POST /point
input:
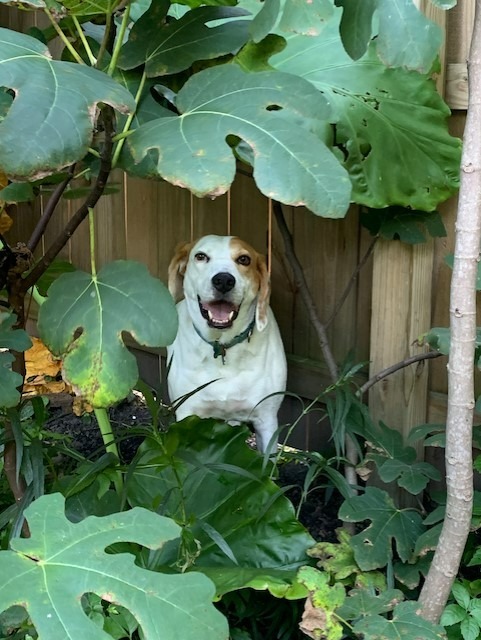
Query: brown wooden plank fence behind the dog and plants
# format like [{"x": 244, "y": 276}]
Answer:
[{"x": 400, "y": 293}]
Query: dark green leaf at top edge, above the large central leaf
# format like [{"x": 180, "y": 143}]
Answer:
[{"x": 168, "y": 48}]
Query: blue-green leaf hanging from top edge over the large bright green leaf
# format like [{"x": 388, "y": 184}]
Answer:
[{"x": 405, "y": 38}]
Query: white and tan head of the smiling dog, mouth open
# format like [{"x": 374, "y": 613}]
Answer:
[{"x": 221, "y": 278}]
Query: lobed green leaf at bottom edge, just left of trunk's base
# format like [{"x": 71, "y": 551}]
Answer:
[{"x": 405, "y": 623}]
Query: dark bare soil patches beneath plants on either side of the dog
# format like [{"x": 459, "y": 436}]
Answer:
[{"x": 318, "y": 514}]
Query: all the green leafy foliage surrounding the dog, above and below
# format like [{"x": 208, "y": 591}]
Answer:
[{"x": 183, "y": 93}]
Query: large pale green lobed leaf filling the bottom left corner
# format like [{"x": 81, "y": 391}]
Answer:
[{"x": 49, "y": 573}]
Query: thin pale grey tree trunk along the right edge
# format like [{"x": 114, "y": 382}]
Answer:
[{"x": 459, "y": 469}]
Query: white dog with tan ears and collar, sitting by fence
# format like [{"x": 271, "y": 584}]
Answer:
[{"x": 228, "y": 338}]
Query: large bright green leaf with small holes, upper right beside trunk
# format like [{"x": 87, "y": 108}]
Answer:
[{"x": 392, "y": 157}]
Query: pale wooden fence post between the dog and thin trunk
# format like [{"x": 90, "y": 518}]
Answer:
[{"x": 401, "y": 311}]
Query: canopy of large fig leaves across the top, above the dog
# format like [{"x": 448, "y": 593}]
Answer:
[{"x": 353, "y": 107}]
